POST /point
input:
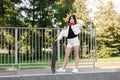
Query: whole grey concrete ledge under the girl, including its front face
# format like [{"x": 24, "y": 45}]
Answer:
[{"x": 101, "y": 73}]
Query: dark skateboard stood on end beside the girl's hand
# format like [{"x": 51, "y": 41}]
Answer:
[{"x": 54, "y": 54}]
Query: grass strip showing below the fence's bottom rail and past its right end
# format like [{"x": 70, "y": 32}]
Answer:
[{"x": 101, "y": 62}]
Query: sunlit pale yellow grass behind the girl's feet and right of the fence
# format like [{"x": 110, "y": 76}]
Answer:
[{"x": 101, "y": 62}]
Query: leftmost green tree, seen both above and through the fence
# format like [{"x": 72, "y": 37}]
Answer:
[{"x": 8, "y": 18}]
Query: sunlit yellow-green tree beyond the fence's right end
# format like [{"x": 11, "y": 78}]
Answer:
[{"x": 107, "y": 21}]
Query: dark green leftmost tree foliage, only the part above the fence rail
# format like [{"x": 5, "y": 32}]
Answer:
[{"x": 9, "y": 13}]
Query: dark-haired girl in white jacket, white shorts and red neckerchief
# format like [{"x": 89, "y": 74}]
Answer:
[{"x": 71, "y": 31}]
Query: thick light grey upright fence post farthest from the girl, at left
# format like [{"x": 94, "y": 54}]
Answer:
[{"x": 16, "y": 45}]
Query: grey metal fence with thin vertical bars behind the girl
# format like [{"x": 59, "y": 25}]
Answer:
[{"x": 24, "y": 46}]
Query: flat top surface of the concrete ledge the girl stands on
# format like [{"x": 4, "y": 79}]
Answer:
[{"x": 29, "y": 72}]
